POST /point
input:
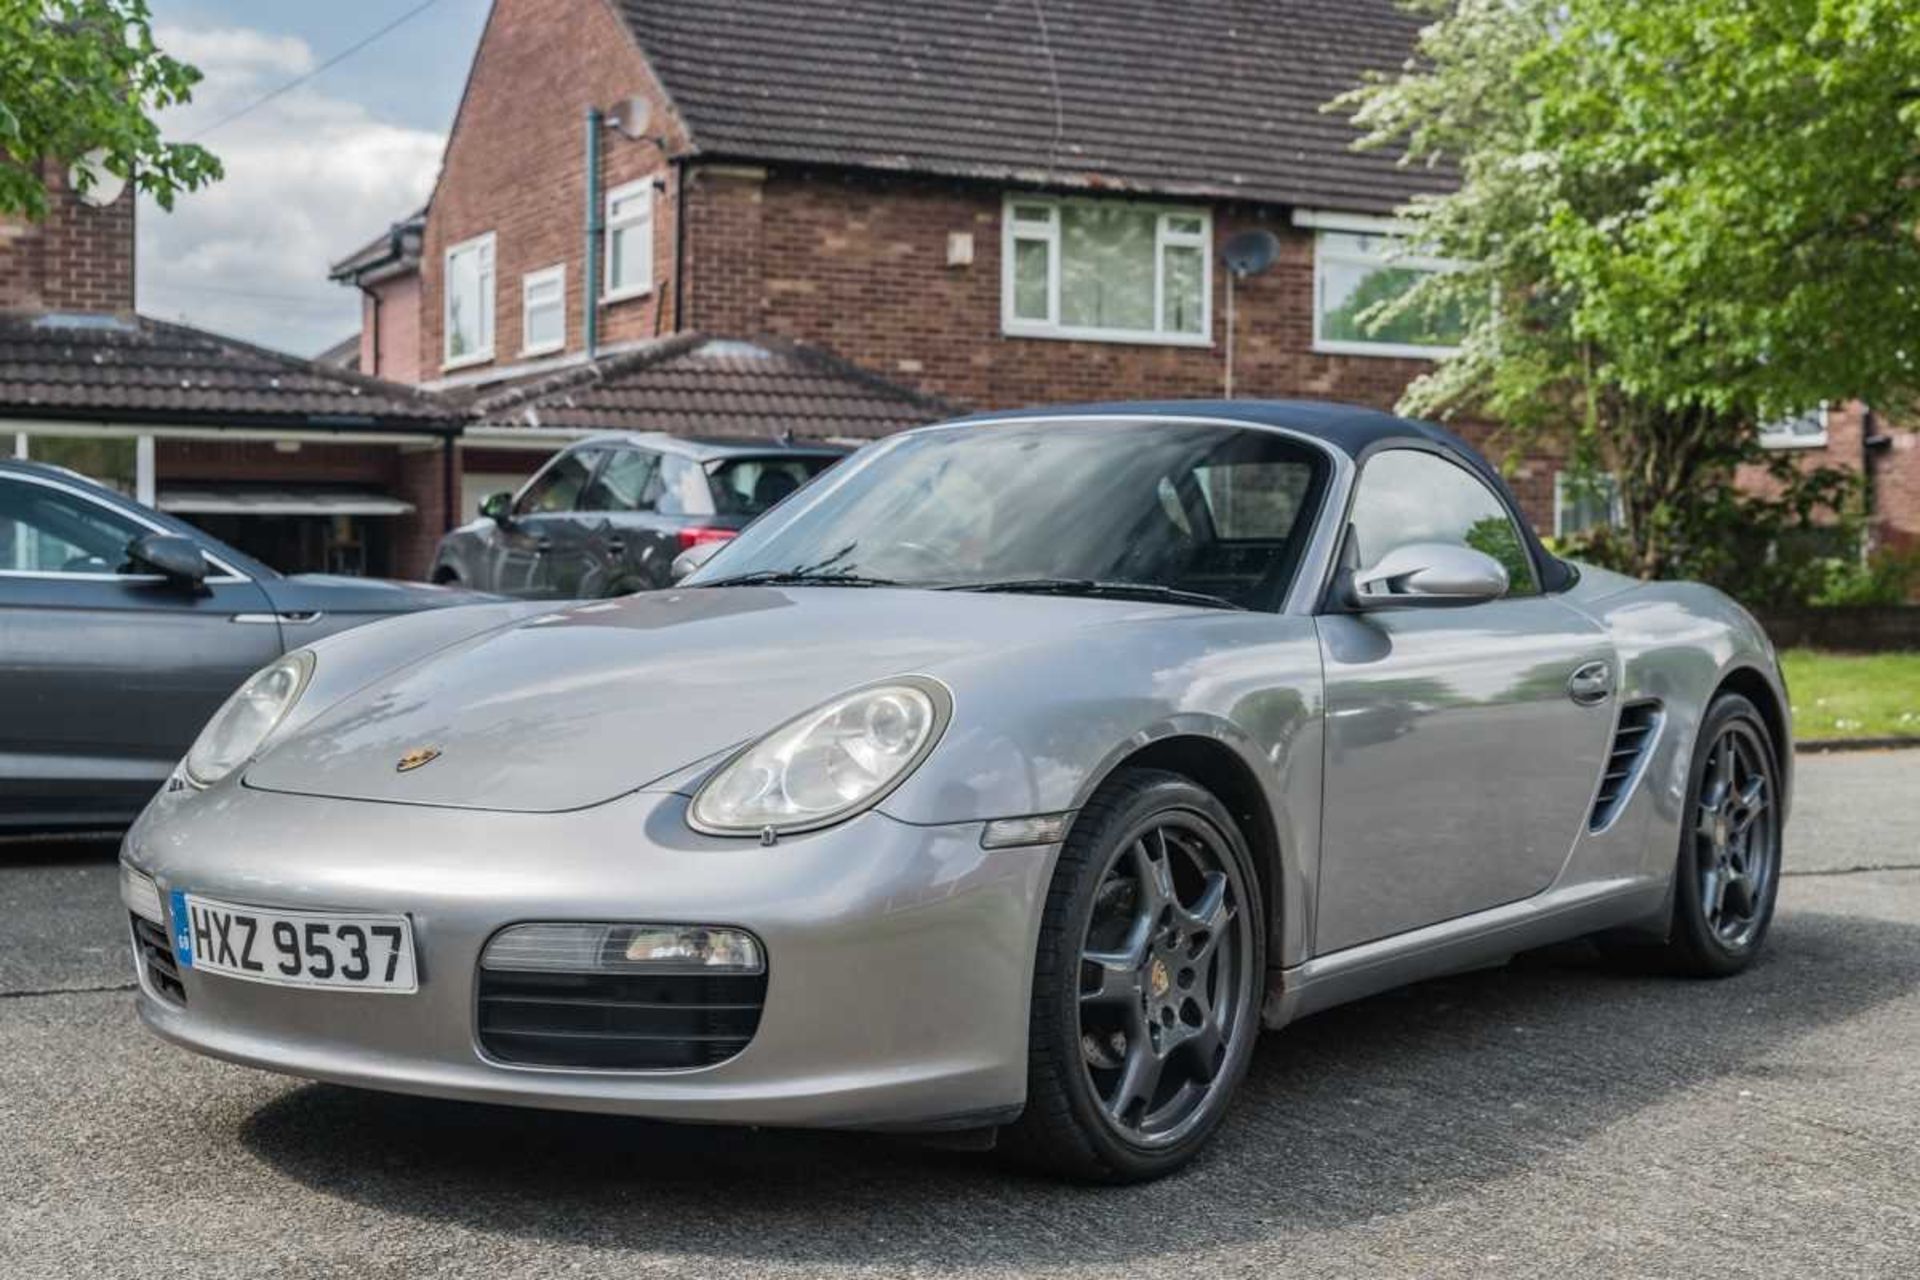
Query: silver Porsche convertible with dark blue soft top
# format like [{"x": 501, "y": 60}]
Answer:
[{"x": 1009, "y": 778}]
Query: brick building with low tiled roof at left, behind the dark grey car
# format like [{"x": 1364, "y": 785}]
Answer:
[{"x": 306, "y": 465}]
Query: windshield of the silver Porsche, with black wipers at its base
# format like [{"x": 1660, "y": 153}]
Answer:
[{"x": 1076, "y": 508}]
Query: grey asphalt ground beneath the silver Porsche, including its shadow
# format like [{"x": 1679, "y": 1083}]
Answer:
[{"x": 1543, "y": 1120}]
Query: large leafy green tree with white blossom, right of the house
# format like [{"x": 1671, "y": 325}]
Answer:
[{"x": 1694, "y": 216}]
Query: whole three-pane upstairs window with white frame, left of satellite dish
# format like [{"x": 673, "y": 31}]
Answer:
[{"x": 1109, "y": 272}]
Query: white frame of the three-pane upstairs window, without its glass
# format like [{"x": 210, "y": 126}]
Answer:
[{"x": 1049, "y": 233}]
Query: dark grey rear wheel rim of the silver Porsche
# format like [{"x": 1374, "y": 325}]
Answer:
[{"x": 1737, "y": 836}]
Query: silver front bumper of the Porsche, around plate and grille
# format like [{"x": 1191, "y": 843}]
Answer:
[{"x": 900, "y": 959}]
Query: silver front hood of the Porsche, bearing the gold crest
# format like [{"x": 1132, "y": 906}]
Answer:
[{"x": 594, "y": 701}]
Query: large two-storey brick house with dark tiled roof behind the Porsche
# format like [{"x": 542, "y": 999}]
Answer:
[{"x": 994, "y": 204}]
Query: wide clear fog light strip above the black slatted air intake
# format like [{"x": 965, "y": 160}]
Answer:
[{"x": 623, "y": 949}]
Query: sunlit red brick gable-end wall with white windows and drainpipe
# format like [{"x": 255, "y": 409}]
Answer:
[{"x": 517, "y": 162}]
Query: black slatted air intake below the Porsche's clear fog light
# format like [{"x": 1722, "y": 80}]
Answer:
[{"x": 619, "y": 1022}]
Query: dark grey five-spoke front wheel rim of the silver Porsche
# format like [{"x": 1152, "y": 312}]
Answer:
[{"x": 1164, "y": 980}]
